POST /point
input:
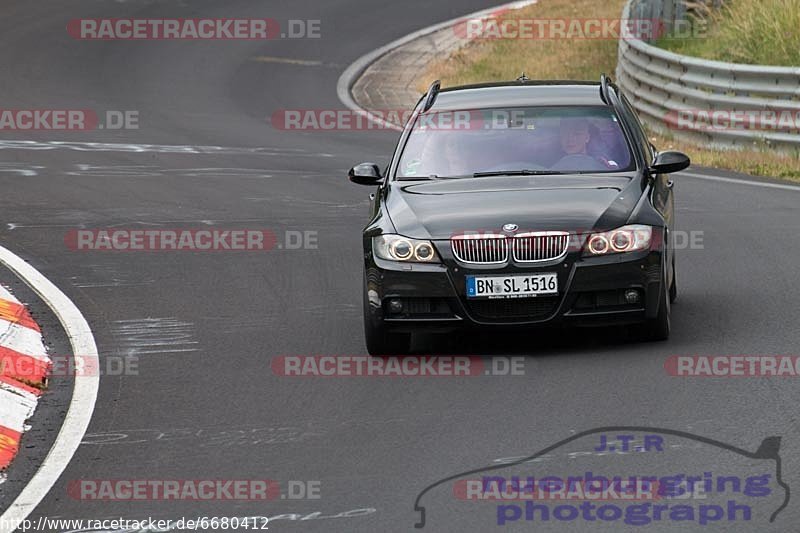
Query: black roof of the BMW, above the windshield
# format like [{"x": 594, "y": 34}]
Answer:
[{"x": 518, "y": 94}]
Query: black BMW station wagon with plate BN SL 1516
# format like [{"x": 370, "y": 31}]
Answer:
[{"x": 519, "y": 204}]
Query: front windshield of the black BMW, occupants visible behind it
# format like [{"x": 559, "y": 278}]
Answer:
[{"x": 533, "y": 140}]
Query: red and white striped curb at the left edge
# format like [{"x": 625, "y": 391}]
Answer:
[{"x": 24, "y": 366}]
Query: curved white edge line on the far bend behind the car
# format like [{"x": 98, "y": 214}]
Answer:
[{"x": 351, "y": 73}]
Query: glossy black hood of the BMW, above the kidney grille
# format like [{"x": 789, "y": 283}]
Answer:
[{"x": 438, "y": 209}]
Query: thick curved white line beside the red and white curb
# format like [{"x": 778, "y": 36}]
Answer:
[{"x": 84, "y": 394}]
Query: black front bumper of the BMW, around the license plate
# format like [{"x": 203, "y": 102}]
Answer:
[{"x": 591, "y": 292}]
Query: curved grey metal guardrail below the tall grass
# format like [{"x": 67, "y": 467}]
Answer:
[{"x": 727, "y": 105}]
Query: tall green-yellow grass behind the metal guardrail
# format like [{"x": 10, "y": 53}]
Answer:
[{"x": 757, "y": 32}]
